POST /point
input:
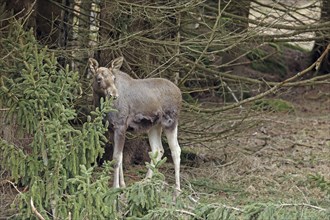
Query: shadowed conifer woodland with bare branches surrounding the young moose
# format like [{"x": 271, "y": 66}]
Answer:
[{"x": 254, "y": 127}]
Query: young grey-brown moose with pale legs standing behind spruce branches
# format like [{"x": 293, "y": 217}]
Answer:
[{"x": 142, "y": 105}]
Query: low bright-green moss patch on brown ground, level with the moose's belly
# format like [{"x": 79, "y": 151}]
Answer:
[{"x": 275, "y": 105}]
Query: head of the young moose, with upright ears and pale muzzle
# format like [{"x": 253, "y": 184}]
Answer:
[{"x": 104, "y": 78}]
